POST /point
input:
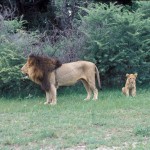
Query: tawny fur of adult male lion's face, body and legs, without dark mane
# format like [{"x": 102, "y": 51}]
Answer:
[{"x": 67, "y": 74}]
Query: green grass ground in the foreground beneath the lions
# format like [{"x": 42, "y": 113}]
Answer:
[{"x": 114, "y": 121}]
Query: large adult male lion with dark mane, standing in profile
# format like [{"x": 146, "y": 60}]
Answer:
[{"x": 51, "y": 74}]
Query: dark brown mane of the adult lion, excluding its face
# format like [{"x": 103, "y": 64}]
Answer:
[{"x": 46, "y": 65}]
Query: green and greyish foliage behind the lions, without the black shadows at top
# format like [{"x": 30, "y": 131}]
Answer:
[{"x": 113, "y": 37}]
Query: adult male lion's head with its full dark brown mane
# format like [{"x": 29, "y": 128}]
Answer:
[{"x": 38, "y": 67}]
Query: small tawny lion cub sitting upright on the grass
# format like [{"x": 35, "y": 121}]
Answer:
[{"x": 130, "y": 86}]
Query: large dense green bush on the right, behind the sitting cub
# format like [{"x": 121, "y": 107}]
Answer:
[{"x": 118, "y": 40}]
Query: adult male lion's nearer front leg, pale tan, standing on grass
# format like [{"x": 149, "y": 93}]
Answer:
[{"x": 53, "y": 91}]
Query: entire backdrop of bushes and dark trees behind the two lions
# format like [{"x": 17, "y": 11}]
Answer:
[{"x": 115, "y": 36}]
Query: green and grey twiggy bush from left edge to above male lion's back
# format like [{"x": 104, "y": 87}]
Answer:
[{"x": 16, "y": 44}]
